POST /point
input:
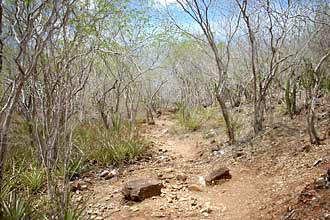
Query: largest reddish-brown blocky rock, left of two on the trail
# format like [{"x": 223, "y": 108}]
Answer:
[{"x": 138, "y": 190}]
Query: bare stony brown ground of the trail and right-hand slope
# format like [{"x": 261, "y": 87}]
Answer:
[{"x": 275, "y": 176}]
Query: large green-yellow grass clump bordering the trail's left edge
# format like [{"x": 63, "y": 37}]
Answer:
[{"x": 114, "y": 146}]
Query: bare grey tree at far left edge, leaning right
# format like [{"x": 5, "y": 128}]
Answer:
[{"x": 30, "y": 34}]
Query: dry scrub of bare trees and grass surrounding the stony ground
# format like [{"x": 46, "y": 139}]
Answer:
[{"x": 80, "y": 77}]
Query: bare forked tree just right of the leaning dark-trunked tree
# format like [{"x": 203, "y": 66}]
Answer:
[{"x": 277, "y": 27}]
